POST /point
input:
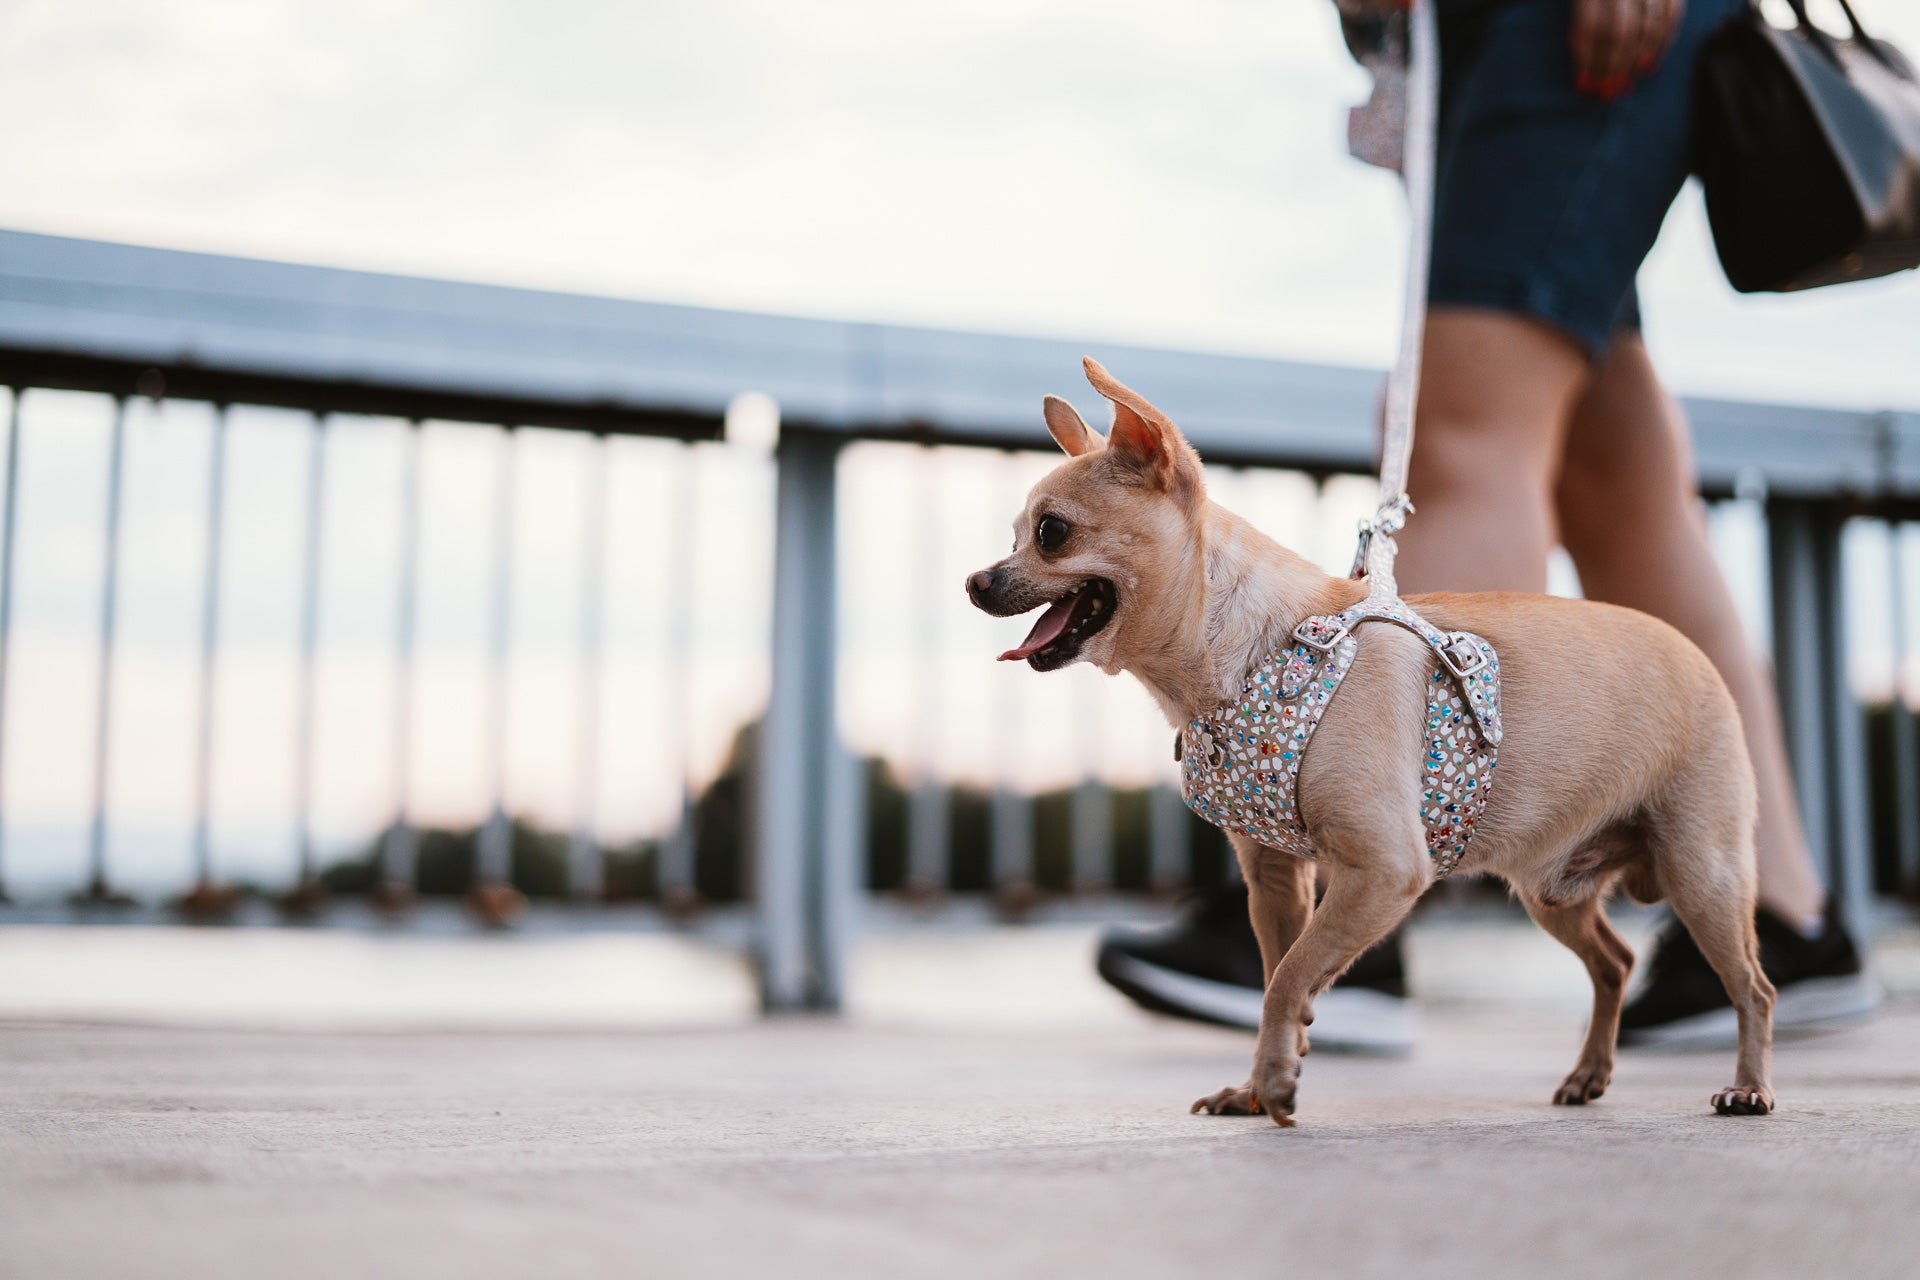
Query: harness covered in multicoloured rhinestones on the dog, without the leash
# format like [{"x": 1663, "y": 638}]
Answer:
[{"x": 1241, "y": 761}]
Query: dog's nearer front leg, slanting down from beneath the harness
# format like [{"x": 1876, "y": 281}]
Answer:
[{"x": 1364, "y": 903}]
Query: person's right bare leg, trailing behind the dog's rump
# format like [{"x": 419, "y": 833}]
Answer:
[{"x": 1633, "y": 523}]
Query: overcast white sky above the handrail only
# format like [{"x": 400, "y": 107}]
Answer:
[{"x": 1166, "y": 174}]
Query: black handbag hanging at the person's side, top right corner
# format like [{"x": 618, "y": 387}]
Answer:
[{"x": 1808, "y": 147}]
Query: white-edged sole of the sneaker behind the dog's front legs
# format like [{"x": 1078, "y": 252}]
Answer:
[{"x": 1347, "y": 1020}]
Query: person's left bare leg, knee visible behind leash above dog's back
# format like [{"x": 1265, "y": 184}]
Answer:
[{"x": 1497, "y": 392}]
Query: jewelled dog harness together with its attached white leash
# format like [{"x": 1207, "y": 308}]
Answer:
[{"x": 1241, "y": 761}]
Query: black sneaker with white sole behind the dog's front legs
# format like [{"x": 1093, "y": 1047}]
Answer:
[{"x": 1207, "y": 968}]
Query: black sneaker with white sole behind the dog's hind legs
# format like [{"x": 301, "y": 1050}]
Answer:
[{"x": 1683, "y": 1003}]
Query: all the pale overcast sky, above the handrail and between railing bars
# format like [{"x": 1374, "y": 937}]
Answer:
[{"x": 1157, "y": 174}]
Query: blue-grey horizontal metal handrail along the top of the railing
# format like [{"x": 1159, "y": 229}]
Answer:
[{"x": 130, "y": 320}]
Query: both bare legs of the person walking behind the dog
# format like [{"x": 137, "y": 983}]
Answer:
[{"x": 1502, "y": 400}]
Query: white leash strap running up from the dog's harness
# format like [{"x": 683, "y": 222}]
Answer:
[{"x": 1374, "y": 559}]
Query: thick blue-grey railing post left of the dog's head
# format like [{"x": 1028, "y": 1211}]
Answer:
[{"x": 805, "y": 888}]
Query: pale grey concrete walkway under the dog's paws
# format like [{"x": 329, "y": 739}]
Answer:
[{"x": 809, "y": 1149}]
